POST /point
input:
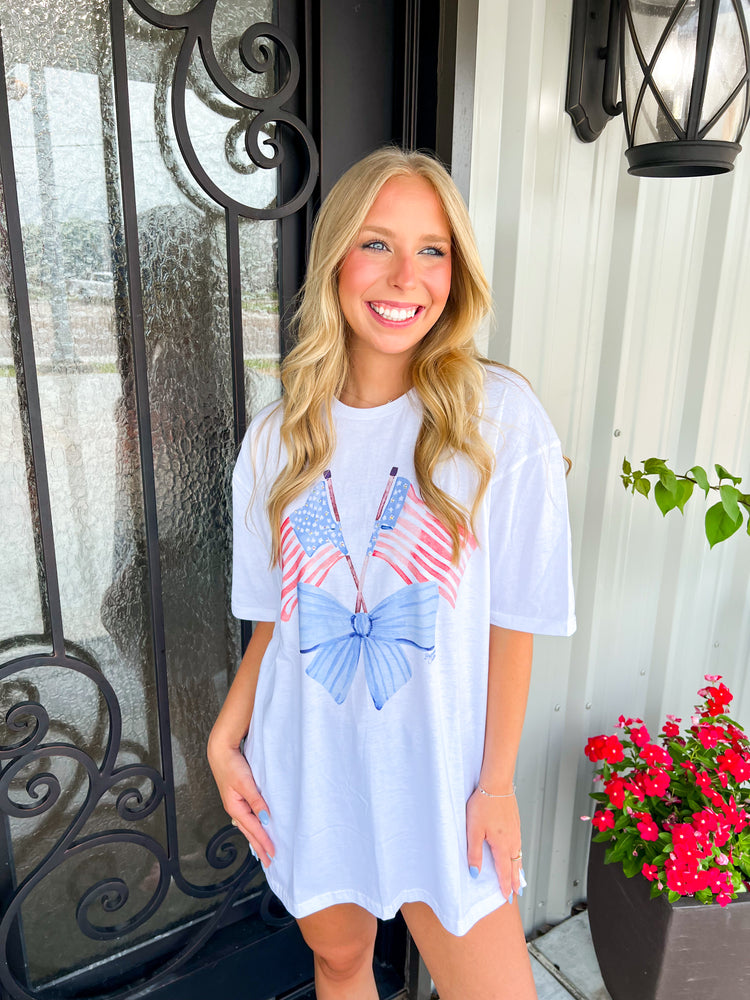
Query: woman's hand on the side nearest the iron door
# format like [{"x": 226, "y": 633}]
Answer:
[{"x": 241, "y": 798}]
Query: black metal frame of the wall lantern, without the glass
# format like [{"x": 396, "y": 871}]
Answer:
[{"x": 596, "y": 70}]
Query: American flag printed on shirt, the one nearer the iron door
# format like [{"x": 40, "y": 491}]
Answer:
[{"x": 311, "y": 544}]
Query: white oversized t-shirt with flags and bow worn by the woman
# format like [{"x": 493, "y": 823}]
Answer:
[{"x": 368, "y": 727}]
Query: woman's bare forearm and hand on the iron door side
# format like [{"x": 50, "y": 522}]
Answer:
[{"x": 239, "y": 793}]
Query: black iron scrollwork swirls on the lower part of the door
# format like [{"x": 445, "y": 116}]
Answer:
[{"x": 109, "y": 895}]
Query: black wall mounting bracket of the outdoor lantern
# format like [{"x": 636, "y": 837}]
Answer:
[{"x": 593, "y": 66}]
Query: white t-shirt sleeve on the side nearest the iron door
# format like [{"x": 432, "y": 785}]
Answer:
[{"x": 256, "y": 587}]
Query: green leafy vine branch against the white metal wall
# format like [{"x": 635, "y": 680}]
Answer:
[{"x": 672, "y": 491}]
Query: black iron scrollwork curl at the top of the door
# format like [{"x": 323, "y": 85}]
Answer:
[{"x": 257, "y": 57}]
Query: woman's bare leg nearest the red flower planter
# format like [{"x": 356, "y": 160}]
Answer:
[{"x": 490, "y": 962}]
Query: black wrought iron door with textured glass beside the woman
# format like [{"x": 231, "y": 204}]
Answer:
[{"x": 159, "y": 164}]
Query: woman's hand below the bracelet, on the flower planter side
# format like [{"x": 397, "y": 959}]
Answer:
[{"x": 496, "y": 820}]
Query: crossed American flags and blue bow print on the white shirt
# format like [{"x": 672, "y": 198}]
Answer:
[{"x": 413, "y": 542}]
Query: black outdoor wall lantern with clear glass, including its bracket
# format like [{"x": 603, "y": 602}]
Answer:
[{"x": 683, "y": 70}]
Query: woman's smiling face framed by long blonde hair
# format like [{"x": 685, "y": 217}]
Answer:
[{"x": 394, "y": 282}]
